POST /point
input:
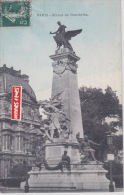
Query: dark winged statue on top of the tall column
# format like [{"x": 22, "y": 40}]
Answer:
[{"x": 62, "y": 37}]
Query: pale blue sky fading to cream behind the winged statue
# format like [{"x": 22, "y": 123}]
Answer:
[{"x": 98, "y": 46}]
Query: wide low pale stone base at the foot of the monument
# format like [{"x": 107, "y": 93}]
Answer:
[{"x": 81, "y": 178}]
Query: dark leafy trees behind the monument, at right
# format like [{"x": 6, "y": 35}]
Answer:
[{"x": 96, "y": 107}]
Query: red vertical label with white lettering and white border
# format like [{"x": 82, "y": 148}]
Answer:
[{"x": 16, "y": 102}]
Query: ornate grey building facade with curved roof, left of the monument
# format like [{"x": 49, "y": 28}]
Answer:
[{"x": 14, "y": 134}]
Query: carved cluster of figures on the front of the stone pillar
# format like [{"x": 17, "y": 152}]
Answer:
[{"x": 57, "y": 123}]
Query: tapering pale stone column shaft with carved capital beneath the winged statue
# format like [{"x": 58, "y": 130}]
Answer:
[{"x": 65, "y": 82}]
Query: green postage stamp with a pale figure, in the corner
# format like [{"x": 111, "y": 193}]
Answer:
[{"x": 15, "y": 13}]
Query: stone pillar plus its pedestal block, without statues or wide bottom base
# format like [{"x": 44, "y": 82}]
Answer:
[{"x": 65, "y": 85}]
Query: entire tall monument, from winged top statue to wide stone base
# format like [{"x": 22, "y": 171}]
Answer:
[{"x": 64, "y": 130}]
